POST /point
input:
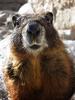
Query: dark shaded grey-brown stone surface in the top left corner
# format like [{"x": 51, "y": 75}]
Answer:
[{"x": 11, "y": 4}]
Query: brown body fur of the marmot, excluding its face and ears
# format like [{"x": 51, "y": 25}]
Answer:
[{"x": 47, "y": 76}]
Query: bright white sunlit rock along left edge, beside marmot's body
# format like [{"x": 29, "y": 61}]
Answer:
[{"x": 3, "y": 53}]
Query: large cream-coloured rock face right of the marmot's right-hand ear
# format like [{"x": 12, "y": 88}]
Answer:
[{"x": 66, "y": 17}]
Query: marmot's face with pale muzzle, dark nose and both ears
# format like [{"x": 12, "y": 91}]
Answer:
[{"x": 33, "y": 30}]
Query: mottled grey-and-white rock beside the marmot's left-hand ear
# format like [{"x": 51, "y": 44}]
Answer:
[{"x": 5, "y": 25}]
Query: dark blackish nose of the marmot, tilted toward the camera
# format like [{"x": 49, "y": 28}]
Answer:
[{"x": 33, "y": 29}]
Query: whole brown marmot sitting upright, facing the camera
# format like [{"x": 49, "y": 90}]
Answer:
[{"x": 38, "y": 66}]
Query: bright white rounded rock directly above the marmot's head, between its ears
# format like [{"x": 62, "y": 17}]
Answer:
[{"x": 30, "y": 8}]
